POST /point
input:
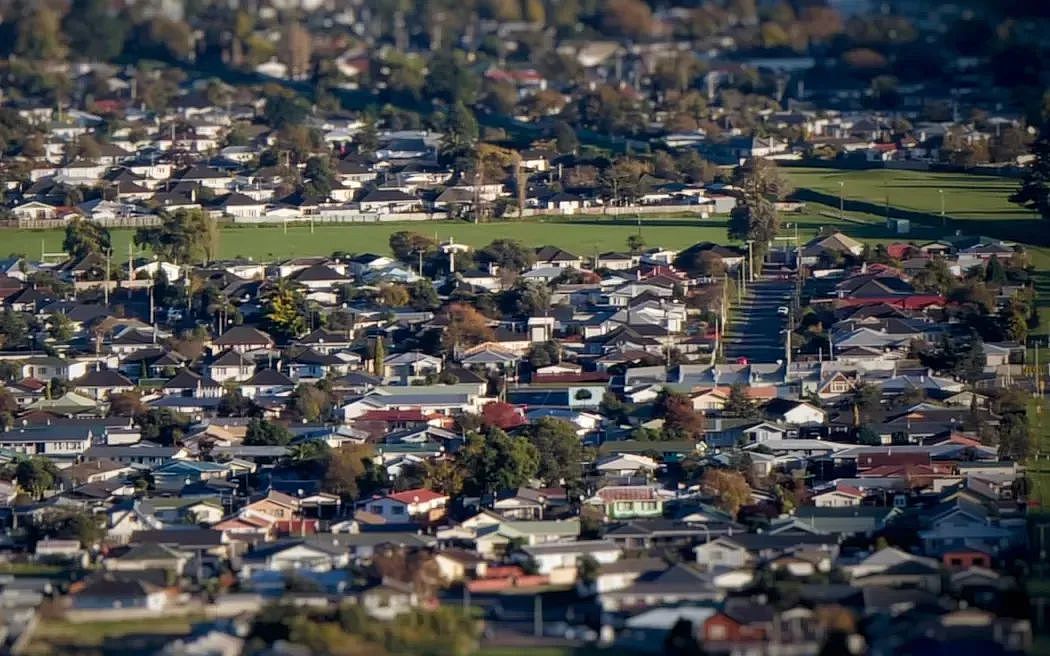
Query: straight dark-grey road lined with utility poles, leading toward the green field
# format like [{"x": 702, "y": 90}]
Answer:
[{"x": 755, "y": 332}]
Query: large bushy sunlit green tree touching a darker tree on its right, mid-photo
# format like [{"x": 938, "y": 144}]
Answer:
[{"x": 498, "y": 462}]
